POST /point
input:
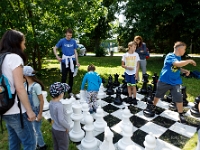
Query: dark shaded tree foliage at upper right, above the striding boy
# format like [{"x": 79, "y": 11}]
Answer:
[{"x": 161, "y": 23}]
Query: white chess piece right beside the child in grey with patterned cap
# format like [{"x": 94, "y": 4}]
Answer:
[{"x": 67, "y": 103}]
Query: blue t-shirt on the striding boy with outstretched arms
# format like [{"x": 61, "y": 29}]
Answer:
[{"x": 170, "y": 74}]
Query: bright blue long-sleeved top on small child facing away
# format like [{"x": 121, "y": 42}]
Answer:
[{"x": 93, "y": 80}]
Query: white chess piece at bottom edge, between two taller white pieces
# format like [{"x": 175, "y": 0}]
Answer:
[{"x": 107, "y": 144}]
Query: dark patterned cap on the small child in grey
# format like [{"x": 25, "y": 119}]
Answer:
[{"x": 58, "y": 88}]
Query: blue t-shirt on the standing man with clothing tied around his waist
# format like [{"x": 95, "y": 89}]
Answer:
[{"x": 67, "y": 46}]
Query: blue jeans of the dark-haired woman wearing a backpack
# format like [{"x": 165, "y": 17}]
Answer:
[{"x": 19, "y": 135}]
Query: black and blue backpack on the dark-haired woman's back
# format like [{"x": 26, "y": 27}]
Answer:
[{"x": 7, "y": 99}]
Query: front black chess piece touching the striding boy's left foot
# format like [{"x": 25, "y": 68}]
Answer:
[{"x": 150, "y": 109}]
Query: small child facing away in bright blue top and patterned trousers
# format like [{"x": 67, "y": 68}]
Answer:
[{"x": 93, "y": 81}]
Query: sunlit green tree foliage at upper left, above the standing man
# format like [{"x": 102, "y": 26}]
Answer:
[{"x": 44, "y": 22}]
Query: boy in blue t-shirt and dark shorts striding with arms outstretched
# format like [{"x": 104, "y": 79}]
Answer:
[{"x": 170, "y": 78}]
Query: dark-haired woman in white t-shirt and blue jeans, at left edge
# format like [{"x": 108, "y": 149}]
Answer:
[{"x": 14, "y": 42}]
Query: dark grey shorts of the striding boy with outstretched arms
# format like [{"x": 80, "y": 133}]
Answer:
[{"x": 175, "y": 90}]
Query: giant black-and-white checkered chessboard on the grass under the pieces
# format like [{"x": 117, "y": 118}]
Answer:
[{"x": 164, "y": 125}]
